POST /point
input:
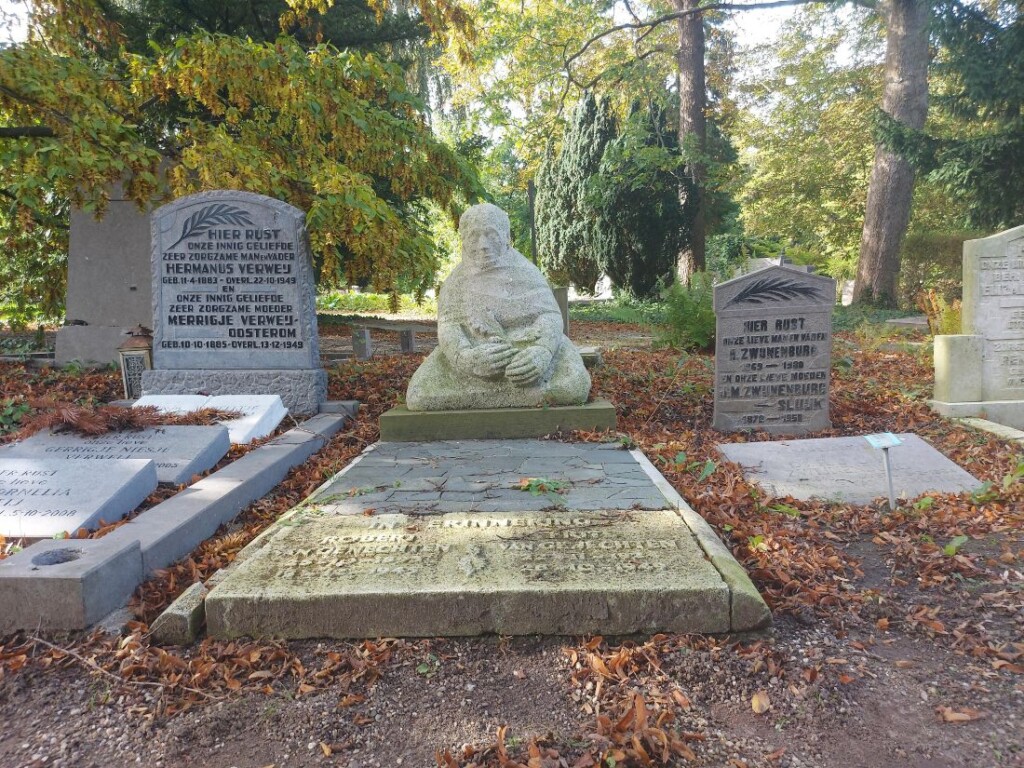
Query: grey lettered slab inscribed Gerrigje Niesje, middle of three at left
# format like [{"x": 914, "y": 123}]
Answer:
[{"x": 179, "y": 452}]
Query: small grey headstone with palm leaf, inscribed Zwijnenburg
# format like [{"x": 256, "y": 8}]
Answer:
[{"x": 774, "y": 352}]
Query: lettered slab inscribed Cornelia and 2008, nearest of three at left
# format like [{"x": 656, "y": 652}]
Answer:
[{"x": 42, "y": 498}]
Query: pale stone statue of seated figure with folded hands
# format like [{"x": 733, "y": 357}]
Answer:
[{"x": 500, "y": 340}]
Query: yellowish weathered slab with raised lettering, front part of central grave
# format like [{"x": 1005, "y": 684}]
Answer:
[{"x": 454, "y": 575}]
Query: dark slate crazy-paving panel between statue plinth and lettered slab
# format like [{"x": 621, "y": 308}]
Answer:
[{"x": 486, "y": 477}]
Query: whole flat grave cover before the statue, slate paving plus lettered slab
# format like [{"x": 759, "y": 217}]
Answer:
[{"x": 430, "y": 539}]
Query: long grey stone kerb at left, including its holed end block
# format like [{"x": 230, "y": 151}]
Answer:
[{"x": 72, "y": 584}]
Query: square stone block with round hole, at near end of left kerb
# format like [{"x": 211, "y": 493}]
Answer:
[{"x": 67, "y": 584}]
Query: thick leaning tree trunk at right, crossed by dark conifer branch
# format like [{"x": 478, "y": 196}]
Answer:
[{"x": 891, "y": 189}]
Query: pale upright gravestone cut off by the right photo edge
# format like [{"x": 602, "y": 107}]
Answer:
[{"x": 982, "y": 372}]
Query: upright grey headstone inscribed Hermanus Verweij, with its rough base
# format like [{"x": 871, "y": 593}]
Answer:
[{"x": 234, "y": 302}]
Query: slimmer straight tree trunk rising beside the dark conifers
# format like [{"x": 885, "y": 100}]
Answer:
[{"x": 693, "y": 130}]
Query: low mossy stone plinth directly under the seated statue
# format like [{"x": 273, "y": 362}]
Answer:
[{"x": 401, "y": 424}]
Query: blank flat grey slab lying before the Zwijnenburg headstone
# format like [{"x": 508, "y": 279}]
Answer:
[{"x": 847, "y": 470}]
